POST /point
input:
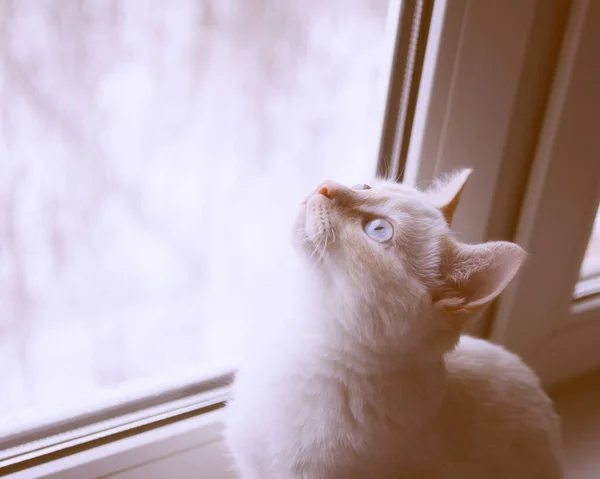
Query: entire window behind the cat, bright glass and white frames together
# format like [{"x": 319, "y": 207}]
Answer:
[{"x": 139, "y": 139}]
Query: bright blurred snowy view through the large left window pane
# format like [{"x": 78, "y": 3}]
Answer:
[{"x": 147, "y": 150}]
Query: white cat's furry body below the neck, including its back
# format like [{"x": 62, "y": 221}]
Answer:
[{"x": 484, "y": 418}]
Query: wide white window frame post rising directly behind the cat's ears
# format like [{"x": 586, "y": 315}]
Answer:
[{"x": 487, "y": 76}]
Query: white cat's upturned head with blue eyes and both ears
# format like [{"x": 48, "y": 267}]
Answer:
[{"x": 389, "y": 247}]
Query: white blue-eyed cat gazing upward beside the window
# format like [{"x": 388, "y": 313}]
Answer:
[{"x": 362, "y": 376}]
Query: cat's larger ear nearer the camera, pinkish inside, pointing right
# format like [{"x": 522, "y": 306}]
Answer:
[{"x": 472, "y": 276}]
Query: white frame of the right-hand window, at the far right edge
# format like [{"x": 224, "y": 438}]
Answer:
[{"x": 537, "y": 316}]
